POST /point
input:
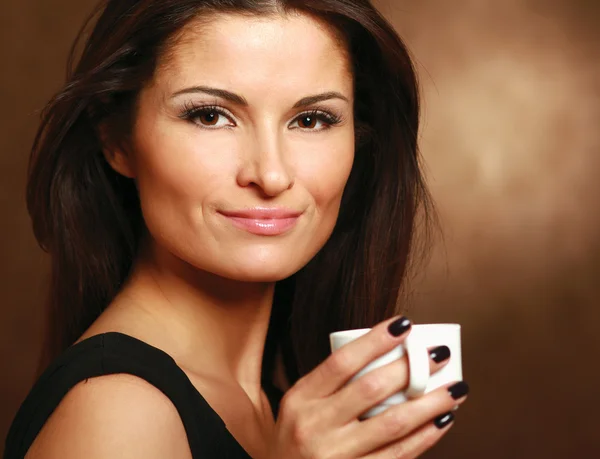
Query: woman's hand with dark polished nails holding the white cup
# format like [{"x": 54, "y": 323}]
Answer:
[{"x": 318, "y": 416}]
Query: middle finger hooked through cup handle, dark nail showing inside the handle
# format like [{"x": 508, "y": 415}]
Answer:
[{"x": 372, "y": 388}]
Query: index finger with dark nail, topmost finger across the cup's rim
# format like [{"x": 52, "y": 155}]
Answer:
[{"x": 352, "y": 357}]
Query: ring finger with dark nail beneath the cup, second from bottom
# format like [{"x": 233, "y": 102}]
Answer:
[{"x": 400, "y": 420}]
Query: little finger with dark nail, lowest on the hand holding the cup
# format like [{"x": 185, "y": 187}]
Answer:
[{"x": 418, "y": 442}]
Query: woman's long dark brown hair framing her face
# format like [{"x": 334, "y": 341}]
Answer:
[{"x": 88, "y": 217}]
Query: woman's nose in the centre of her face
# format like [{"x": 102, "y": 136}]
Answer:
[{"x": 265, "y": 165}]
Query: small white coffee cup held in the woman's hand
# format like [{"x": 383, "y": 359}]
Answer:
[{"x": 416, "y": 345}]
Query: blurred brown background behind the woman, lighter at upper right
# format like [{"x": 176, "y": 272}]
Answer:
[{"x": 511, "y": 140}]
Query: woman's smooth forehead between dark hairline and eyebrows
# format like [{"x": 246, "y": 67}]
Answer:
[{"x": 292, "y": 52}]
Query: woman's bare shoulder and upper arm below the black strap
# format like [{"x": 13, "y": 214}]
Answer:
[{"x": 112, "y": 416}]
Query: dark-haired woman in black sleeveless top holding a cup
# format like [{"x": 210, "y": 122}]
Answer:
[{"x": 220, "y": 185}]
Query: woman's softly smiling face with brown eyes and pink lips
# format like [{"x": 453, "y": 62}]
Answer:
[{"x": 243, "y": 144}]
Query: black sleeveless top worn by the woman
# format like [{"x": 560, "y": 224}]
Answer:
[{"x": 114, "y": 352}]
